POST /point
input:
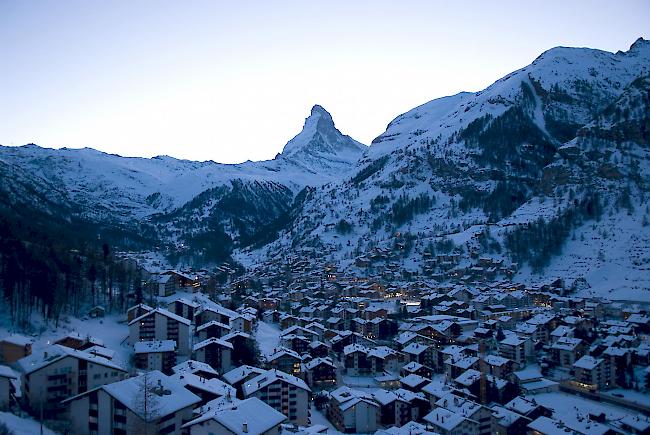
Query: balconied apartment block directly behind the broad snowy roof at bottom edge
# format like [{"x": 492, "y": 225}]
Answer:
[{"x": 285, "y": 393}]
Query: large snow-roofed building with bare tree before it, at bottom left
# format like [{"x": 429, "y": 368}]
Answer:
[{"x": 149, "y": 403}]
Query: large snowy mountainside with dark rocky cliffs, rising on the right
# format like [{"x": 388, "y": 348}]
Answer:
[{"x": 517, "y": 175}]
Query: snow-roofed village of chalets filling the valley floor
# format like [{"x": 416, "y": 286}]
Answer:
[{"x": 304, "y": 348}]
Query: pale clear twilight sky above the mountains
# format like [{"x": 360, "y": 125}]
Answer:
[{"x": 232, "y": 81}]
